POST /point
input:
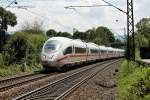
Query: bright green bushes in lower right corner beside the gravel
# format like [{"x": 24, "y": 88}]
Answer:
[{"x": 134, "y": 82}]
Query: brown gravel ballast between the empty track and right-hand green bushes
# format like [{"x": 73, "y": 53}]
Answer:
[{"x": 101, "y": 87}]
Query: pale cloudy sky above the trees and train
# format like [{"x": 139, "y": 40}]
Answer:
[{"x": 53, "y": 15}]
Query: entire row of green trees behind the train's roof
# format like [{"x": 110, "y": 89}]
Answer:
[{"x": 100, "y": 35}]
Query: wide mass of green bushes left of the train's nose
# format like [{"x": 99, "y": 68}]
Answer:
[{"x": 24, "y": 48}]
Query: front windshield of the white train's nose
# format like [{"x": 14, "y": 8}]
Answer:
[{"x": 51, "y": 46}]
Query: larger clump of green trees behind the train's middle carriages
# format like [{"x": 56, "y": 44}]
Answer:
[{"x": 100, "y": 35}]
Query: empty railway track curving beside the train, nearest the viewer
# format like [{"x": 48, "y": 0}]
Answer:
[{"x": 60, "y": 88}]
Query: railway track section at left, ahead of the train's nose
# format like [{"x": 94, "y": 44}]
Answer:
[{"x": 20, "y": 80}]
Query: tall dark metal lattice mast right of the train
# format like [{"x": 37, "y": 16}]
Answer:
[{"x": 130, "y": 31}]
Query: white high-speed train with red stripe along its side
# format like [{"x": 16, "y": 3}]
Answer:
[{"x": 61, "y": 51}]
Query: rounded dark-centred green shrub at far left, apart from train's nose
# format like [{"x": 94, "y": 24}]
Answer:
[{"x": 17, "y": 48}]
